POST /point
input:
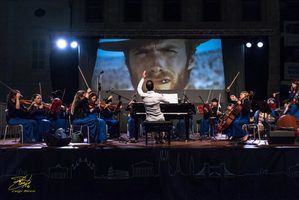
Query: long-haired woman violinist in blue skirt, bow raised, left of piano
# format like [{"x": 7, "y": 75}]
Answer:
[{"x": 81, "y": 115}]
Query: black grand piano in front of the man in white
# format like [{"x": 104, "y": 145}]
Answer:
[{"x": 170, "y": 111}]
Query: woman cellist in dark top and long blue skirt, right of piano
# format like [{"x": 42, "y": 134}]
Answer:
[{"x": 235, "y": 129}]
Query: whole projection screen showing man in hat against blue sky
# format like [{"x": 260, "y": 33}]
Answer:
[{"x": 172, "y": 64}]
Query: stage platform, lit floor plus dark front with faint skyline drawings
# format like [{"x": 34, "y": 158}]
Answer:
[{"x": 197, "y": 169}]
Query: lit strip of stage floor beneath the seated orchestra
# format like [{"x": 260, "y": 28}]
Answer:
[{"x": 124, "y": 143}]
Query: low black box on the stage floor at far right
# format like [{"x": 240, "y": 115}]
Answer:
[{"x": 281, "y": 137}]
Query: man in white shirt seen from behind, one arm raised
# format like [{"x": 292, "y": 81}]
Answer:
[{"x": 152, "y": 102}]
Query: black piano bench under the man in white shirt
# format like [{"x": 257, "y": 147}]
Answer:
[{"x": 158, "y": 126}]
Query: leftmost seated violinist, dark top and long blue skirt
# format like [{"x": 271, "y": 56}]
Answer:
[{"x": 17, "y": 114}]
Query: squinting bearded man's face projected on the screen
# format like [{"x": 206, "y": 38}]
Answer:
[{"x": 165, "y": 62}]
